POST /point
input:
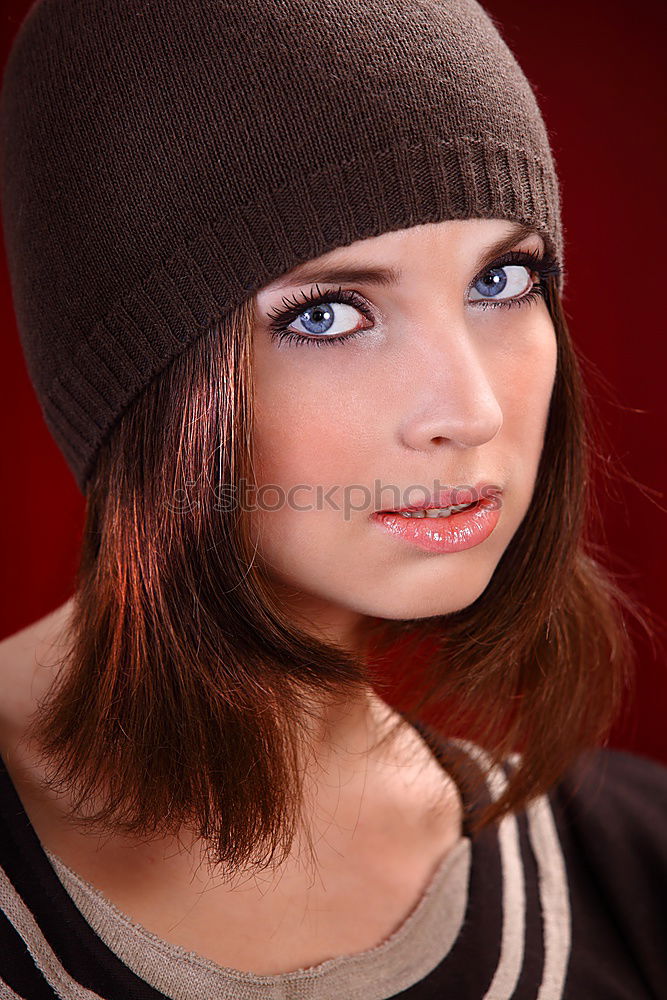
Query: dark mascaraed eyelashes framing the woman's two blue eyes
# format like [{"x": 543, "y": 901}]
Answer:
[{"x": 543, "y": 264}]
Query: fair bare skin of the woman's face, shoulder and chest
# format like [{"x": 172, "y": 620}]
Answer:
[{"x": 436, "y": 388}]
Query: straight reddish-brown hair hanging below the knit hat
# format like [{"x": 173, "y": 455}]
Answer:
[{"x": 182, "y": 666}]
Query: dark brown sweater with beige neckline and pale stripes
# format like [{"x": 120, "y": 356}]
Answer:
[{"x": 567, "y": 899}]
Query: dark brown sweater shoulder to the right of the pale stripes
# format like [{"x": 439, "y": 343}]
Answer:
[{"x": 610, "y": 813}]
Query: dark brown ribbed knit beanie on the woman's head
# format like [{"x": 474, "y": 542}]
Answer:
[{"x": 162, "y": 160}]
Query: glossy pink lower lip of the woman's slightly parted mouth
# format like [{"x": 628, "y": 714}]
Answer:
[{"x": 462, "y": 530}]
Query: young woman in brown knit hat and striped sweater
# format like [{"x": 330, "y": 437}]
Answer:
[{"x": 288, "y": 280}]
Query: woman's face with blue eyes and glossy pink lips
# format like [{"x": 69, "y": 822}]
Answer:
[{"x": 442, "y": 387}]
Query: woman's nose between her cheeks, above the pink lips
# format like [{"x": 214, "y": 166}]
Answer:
[{"x": 450, "y": 395}]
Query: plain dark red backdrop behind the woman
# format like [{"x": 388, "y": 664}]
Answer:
[{"x": 599, "y": 74}]
